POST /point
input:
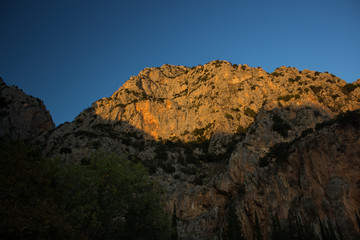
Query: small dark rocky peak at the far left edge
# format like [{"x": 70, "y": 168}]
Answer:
[{"x": 22, "y": 116}]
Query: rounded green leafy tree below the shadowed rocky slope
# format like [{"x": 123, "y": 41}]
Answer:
[{"x": 113, "y": 198}]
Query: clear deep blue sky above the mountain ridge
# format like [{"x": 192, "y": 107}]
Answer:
[{"x": 70, "y": 53}]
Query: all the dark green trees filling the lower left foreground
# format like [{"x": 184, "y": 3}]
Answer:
[{"x": 108, "y": 198}]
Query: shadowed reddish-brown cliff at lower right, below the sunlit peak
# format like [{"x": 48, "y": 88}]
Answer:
[{"x": 313, "y": 175}]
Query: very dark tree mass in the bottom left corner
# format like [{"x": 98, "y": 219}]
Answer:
[{"x": 29, "y": 203}]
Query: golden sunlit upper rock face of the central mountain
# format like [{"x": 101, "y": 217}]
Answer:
[{"x": 203, "y": 102}]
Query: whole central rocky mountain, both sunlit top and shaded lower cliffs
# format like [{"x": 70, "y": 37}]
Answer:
[{"x": 222, "y": 133}]
